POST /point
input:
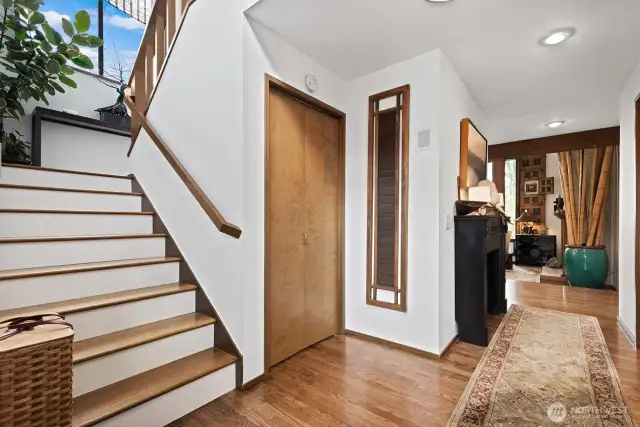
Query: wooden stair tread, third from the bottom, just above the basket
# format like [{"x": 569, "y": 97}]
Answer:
[{"x": 98, "y": 301}]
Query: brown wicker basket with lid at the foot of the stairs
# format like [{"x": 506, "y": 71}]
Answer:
[{"x": 35, "y": 377}]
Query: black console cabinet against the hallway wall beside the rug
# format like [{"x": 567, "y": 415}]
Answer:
[{"x": 480, "y": 282}]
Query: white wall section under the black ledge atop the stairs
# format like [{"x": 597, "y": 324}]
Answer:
[{"x": 70, "y": 147}]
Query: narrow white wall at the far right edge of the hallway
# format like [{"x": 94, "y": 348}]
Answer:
[{"x": 627, "y": 207}]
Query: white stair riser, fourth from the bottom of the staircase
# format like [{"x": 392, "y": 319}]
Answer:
[{"x": 17, "y": 293}]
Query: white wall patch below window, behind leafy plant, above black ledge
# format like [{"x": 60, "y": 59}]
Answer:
[{"x": 90, "y": 95}]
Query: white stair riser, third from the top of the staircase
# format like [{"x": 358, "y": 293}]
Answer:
[{"x": 18, "y": 224}]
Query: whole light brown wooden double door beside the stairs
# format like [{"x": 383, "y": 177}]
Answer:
[{"x": 304, "y": 214}]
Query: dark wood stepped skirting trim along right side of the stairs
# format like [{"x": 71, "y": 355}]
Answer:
[{"x": 222, "y": 337}]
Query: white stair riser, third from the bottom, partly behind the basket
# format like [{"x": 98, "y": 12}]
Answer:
[{"x": 101, "y": 321}]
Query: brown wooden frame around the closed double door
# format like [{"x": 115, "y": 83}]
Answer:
[{"x": 272, "y": 83}]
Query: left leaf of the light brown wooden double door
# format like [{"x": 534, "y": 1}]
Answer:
[{"x": 286, "y": 225}]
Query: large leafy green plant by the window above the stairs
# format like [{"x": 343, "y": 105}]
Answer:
[{"x": 35, "y": 63}]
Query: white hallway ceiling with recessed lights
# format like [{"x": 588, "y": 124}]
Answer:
[{"x": 493, "y": 44}]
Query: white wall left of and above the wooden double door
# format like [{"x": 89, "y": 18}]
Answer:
[{"x": 266, "y": 52}]
